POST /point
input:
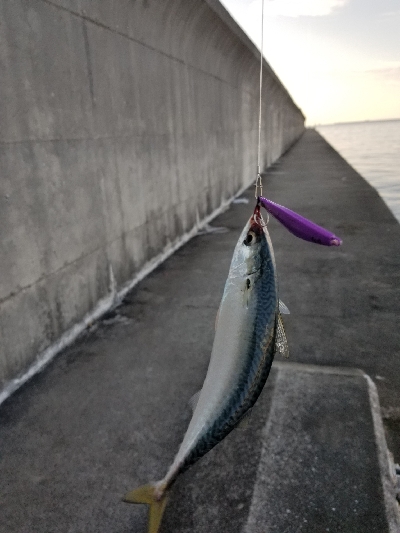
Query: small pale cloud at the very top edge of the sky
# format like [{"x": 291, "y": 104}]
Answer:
[{"x": 303, "y": 8}]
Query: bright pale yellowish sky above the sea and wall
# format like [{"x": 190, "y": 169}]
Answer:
[{"x": 339, "y": 59}]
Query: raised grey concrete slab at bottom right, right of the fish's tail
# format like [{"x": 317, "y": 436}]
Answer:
[{"x": 324, "y": 462}]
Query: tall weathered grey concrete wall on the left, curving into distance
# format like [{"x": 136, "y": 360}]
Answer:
[{"x": 123, "y": 123}]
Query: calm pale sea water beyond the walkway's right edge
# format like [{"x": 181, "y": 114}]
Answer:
[{"x": 373, "y": 149}]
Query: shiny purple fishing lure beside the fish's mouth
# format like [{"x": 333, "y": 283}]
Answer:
[{"x": 300, "y": 226}]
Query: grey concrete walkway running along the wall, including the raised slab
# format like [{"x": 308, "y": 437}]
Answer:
[{"x": 109, "y": 413}]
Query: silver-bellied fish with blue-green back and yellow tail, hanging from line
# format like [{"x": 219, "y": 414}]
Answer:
[{"x": 249, "y": 332}]
